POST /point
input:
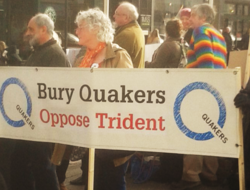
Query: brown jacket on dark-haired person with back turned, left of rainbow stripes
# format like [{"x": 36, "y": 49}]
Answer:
[{"x": 168, "y": 55}]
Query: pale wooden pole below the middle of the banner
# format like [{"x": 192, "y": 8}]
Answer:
[{"x": 91, "y": 169}]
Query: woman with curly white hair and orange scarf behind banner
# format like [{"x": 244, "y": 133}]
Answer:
[{"x": 95, "y": 32}]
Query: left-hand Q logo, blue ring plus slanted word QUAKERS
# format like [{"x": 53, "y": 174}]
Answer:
[{"x": 25, "y": 115}]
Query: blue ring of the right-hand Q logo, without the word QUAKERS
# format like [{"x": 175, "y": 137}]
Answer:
[{"x": 177, "y": 105}]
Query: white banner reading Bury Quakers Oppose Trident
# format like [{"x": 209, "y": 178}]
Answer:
[{"x": 188, "y": 111}]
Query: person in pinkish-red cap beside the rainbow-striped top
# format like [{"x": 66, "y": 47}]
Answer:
[{"x": 185, "y": 14}]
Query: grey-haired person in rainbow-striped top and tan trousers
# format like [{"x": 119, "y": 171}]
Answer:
[{"x": 207, "y": 50}]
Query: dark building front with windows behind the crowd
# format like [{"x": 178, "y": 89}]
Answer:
[{"x": 14, "y": 14}]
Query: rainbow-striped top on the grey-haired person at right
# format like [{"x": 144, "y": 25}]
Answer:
[{"x": 207, "y": 49}]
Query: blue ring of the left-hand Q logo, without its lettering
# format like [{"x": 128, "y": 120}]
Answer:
[{"x": 15, "y": 81}]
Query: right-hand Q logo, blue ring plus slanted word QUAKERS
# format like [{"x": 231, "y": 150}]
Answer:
[{"x": 215, "y": 127}]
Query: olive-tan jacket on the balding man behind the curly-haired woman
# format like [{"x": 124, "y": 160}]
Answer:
[{"x": 131, "y": 38}]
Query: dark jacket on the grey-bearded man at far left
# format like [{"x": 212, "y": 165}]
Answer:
[{"x": 49, "y": 54}]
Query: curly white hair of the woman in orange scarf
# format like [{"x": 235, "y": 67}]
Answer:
[{"x": 96, "y": 18}]
